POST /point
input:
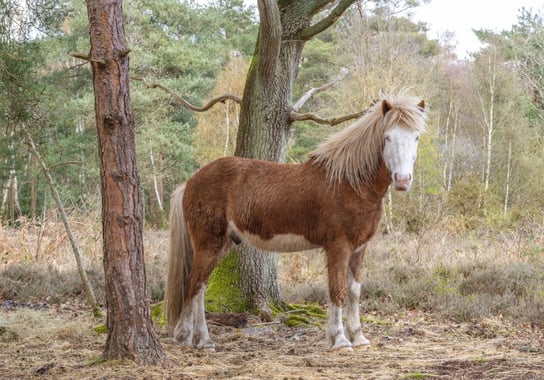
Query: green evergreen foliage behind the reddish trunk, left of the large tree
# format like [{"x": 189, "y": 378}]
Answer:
[{"x": 182, "y": 45}]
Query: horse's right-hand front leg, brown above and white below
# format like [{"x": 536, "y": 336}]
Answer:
[{"x": 353, "y": 321}]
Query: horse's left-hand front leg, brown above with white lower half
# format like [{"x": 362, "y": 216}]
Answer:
[{"x": 337, "y": 263}]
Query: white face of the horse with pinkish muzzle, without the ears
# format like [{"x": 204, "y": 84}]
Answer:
[{"x": 400, "y": 153}]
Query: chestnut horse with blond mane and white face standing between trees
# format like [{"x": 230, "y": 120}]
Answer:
[{"x": 332, "y": 201}]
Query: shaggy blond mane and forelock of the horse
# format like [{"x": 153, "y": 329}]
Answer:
[{"x": 354, "y": 153}]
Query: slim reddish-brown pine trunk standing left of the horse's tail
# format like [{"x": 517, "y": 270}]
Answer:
[{"x": 131, "y": 333}]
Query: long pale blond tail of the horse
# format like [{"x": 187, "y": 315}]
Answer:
[{"x": 180, "y": 261}]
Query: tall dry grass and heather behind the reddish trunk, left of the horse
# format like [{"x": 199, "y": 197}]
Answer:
[{"x": 38, "y": 265}]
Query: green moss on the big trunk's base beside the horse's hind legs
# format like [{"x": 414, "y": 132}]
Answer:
[{"x": 223, "y": 294}]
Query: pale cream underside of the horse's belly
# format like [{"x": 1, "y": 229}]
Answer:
[{"x": 278, "y": 243}]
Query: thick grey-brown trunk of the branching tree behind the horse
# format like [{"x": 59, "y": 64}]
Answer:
[{"x": 265, "y": 114}]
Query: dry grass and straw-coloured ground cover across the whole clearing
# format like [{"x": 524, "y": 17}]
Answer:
[{"x": 435, "y": 305}]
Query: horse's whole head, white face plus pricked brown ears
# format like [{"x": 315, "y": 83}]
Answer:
[{"x": 400, "y": 146}]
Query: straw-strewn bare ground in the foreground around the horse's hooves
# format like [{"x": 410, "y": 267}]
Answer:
[{"x": 59, "y": 343}]
